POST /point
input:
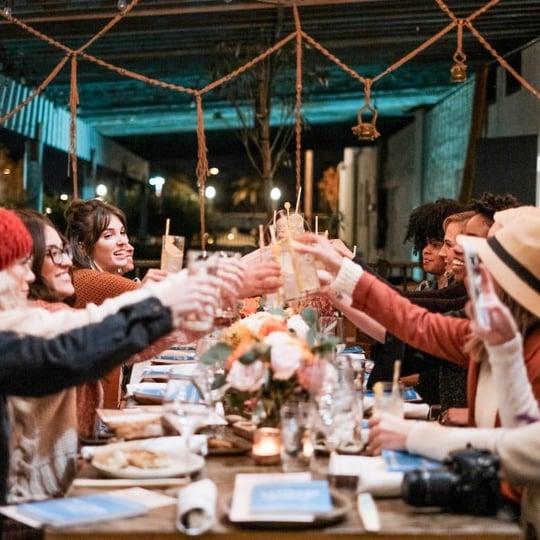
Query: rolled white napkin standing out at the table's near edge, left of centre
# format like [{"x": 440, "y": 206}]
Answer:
[{"x": 197, "y": 507}]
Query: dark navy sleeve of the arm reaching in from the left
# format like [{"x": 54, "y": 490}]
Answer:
[{"x": 32, "y": 366}]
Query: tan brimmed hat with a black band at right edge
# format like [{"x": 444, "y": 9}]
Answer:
[{"x": 512, "y": 256}]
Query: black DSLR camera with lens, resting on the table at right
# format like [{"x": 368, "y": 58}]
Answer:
[{"x": 467, "y": 483}]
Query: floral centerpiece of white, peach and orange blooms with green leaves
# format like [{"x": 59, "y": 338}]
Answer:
[{"x": 268, "y": 359}]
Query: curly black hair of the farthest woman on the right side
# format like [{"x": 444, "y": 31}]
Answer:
[{"x": 426, "y": 221}]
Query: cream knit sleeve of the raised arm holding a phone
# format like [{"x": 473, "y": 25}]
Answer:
[{"x": 512, "y": 386}]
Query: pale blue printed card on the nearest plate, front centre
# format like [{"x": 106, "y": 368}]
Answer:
[{"x": 292, "y": 497}]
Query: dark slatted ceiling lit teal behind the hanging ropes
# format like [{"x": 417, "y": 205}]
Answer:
[{"x": 177, "y": 42}]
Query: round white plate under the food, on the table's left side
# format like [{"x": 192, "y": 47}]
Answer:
[{"x": 170, "y": 447}]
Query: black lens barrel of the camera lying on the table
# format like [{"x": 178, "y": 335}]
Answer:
[{"x": 429, "y": 488}]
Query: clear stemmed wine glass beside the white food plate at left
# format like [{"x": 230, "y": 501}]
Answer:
[{"x": 185, "y": 408}]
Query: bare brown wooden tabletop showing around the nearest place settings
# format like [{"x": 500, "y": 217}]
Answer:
[{"x": 398, "y": 519}]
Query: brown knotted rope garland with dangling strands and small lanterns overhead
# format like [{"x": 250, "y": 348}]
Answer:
[{"x": 202, "y": 165}]
